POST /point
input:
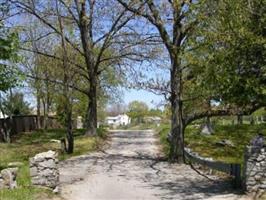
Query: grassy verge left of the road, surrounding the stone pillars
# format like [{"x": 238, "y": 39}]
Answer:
[{"x": 27, "y": 145}]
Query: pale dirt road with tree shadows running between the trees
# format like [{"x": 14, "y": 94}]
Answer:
[{"x": 129, "y": 169}]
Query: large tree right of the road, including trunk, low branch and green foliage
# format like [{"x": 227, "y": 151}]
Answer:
[{"x": 204, "y": 56}]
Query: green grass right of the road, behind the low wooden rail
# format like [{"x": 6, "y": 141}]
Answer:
[{"x": 205, "y": 145}]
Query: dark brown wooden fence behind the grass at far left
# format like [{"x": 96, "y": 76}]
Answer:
[{"x": 26, "y": 123}]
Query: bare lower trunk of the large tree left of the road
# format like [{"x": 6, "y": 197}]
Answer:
[{"x": 91, "y": 124}]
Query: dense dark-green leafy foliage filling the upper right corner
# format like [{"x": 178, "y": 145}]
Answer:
[{"x": 234, "y": 53}]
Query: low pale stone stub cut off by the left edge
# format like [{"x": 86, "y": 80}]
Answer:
[{"x": 8, "y": 178}]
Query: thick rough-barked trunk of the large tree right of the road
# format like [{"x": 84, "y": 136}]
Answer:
[{"x": 177, "y": 123}]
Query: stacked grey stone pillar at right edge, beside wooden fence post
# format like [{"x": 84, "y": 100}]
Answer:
[{"x": 255, "y": 169}]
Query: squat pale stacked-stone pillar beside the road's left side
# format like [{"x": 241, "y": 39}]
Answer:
[{"x": 44, "y": 170}]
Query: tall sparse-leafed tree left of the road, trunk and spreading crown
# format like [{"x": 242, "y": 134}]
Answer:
[{"x": 98, "y": 28}]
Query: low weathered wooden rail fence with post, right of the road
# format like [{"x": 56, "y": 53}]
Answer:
[{"x": 232, "y": 169}]
